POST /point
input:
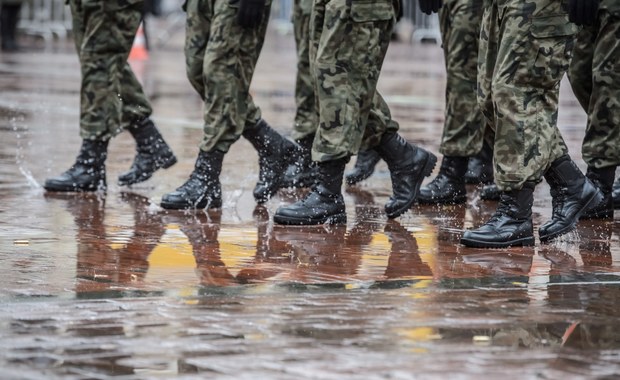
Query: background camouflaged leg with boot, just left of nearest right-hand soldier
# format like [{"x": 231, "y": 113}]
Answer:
[{"x": 464, "y": 126}]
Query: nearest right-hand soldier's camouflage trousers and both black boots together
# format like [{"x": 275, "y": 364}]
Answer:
[{"x": 528, "y": 143}]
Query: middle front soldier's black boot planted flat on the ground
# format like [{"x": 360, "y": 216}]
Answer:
[{"x": 324, "y": 204}]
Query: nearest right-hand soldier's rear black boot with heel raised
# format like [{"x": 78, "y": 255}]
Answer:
[{"x": 572, "y": 193}]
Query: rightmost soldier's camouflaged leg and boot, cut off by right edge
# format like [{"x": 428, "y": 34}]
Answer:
[{"x": 600, "y": 147}]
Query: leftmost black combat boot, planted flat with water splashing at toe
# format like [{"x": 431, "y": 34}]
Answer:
[{"x": 88, "y": 172}]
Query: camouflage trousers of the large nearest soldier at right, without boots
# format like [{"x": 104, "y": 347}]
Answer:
[{"x": 525, "y": 50}]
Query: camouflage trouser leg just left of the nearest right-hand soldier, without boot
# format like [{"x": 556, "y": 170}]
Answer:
[{"x": 464, "y": 125}]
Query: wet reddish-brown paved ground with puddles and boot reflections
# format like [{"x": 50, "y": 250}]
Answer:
[{"x": 98, "y": 286}]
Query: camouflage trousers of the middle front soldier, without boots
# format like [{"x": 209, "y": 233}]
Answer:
[{"x": 349, "y": 40}]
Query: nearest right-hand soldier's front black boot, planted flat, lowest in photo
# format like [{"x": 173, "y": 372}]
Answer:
[{"x": 510, "y": 226}]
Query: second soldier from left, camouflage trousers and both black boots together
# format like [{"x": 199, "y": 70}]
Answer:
[{"x": 220, "y": 60}]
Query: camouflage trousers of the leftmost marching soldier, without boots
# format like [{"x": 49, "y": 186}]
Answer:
[{"x": 111, "y": 98}]
